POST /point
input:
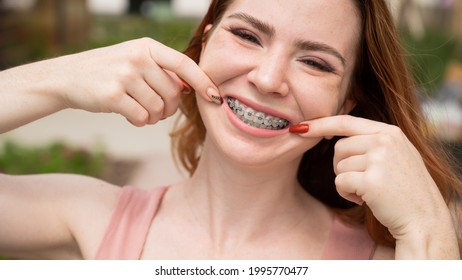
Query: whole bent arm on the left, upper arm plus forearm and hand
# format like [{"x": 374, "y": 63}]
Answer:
[{"x": 64, "y": 216}]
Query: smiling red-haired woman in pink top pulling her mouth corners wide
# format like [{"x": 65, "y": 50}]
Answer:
[{"x": 306, "y": 142}]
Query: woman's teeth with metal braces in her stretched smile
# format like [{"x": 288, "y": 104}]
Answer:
[{"x": 256, "y": 119}]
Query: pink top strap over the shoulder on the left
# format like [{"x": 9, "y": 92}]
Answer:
[{"x": 129, "y": 225}]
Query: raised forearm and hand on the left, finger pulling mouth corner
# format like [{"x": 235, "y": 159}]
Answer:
[{"x": 138, "y": 79}]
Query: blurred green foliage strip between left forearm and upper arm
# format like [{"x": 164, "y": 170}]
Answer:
[{"x": 53, "y": 158}]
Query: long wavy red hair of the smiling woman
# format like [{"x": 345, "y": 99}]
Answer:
[{"x": 383, "y": 89}]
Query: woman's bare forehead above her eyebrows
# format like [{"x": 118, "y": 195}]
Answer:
[{"x": 333, "y": 22}]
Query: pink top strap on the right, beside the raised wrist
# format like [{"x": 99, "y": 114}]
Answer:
[{"x": 348, "y": 242}]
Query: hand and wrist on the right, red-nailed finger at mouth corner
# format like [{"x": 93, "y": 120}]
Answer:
[{"x": 376, "y": 164}]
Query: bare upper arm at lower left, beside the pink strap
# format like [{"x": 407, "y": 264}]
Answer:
[{"x": 53, "y": 216}]
